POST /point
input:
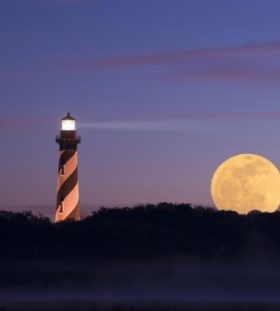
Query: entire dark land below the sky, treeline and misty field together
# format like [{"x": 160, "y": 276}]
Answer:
[{"x": 151, "y": 254}]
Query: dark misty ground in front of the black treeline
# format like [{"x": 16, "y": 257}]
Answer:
[{"x": 164, "y": 285}]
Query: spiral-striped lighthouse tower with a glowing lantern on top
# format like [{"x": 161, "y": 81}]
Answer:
[{"x": 67, "y": 204}]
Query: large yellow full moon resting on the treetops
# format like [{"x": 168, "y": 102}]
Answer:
[{"x": 246, "y": 182}]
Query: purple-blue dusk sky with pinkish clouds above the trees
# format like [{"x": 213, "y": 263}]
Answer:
[{"x": 163, "y": 92}]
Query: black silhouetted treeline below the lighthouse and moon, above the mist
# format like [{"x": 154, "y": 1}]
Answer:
[{"x": 143, "y": 232}]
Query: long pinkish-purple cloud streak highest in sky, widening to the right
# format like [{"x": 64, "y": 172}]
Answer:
[{"x": 247, "y": 63}]
